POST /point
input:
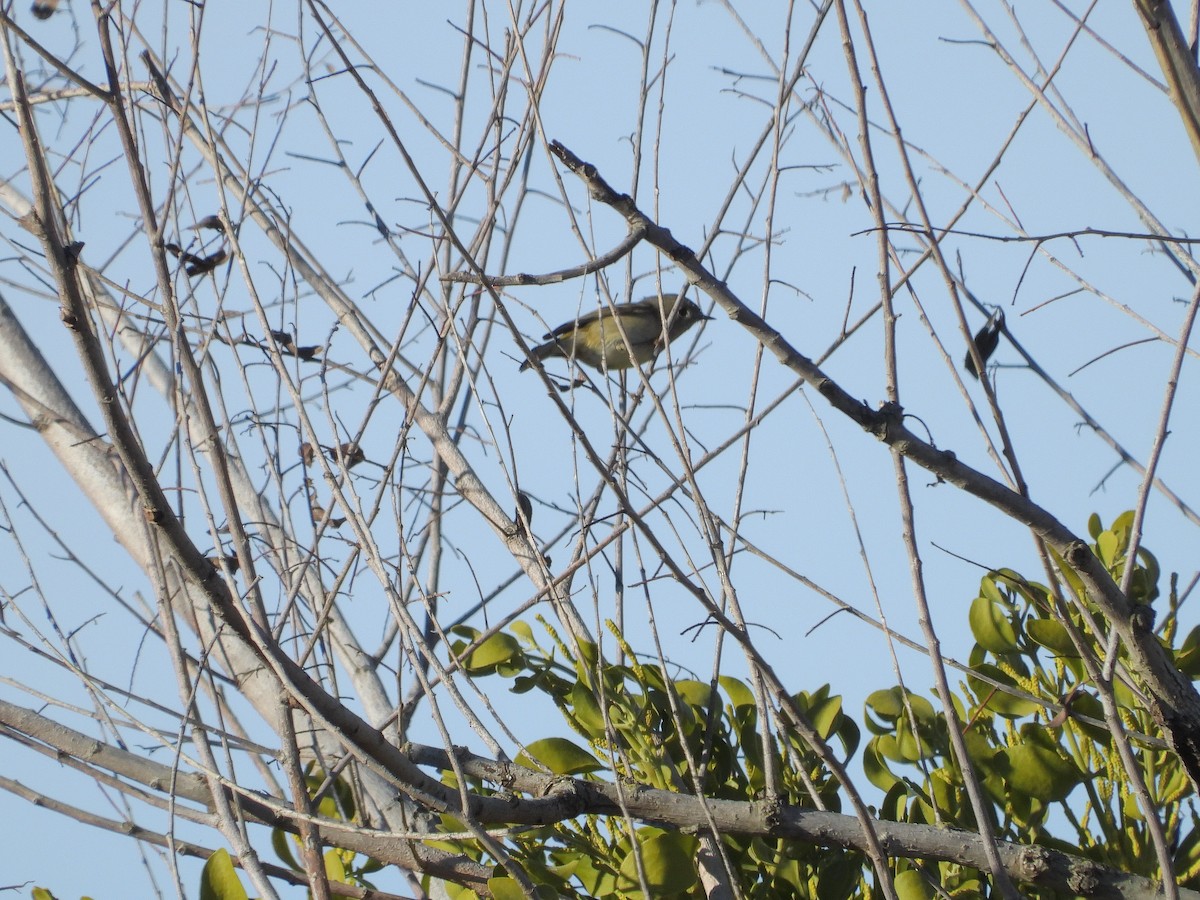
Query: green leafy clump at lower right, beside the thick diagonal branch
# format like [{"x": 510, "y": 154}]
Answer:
[{"x": 1036, "y": 731}]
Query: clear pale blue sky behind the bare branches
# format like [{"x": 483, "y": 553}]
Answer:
[{"x": 956, "y": 101}]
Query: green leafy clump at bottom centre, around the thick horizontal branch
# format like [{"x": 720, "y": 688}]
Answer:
[{"x": 677, "y": 735}]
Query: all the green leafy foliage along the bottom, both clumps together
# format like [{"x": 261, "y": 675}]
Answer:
[{"x": 1030, "y": 713}]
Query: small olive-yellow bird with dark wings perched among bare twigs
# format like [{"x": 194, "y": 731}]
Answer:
[{"x": 597, "y": 338}]
